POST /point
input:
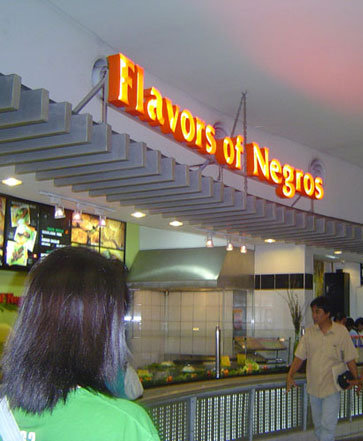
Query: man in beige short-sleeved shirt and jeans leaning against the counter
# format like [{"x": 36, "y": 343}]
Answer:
[{"x": 324, "y": 346}]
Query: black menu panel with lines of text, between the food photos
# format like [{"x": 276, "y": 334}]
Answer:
[{"x": 53, "y": 233}]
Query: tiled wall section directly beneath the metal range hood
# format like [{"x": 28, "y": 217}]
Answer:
[{"x": 167, "y": 325}]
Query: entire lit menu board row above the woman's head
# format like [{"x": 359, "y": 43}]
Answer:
[{"x": 29, "y": 231}]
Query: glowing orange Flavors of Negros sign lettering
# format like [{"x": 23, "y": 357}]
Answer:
[{"x": 126, "y": 89}]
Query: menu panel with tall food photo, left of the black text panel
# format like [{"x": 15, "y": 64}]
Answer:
[{"x": 21, "y": 233}]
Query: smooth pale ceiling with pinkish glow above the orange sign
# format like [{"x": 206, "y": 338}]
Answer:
[{"x": 301, "y": 63}]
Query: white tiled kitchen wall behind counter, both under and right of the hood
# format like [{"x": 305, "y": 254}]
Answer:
[{"x": 183, "y": 323}]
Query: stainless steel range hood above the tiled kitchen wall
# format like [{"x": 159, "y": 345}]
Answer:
[{"x": 192, "y": 268}]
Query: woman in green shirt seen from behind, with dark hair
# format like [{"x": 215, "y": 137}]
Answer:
[{"x": 68, "y": 343}]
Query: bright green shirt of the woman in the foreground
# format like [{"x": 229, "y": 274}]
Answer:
[{"x": 88, "y": 416}]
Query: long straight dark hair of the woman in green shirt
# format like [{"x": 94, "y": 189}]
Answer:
[{"x": 69, "y": 332}]
